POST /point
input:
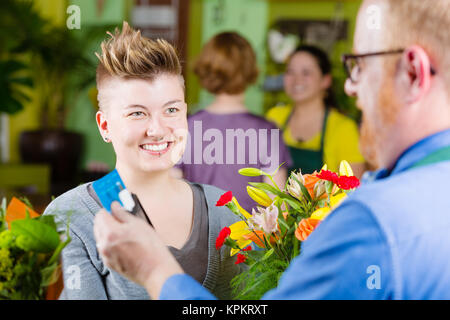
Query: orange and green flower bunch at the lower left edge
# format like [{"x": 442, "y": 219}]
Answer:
[{"x": 30, "y": 248}]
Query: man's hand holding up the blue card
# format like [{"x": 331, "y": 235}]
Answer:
[{"x": 131, "y": 247}]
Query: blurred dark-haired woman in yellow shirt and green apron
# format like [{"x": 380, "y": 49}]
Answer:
[{"x": 314, "y": 131}]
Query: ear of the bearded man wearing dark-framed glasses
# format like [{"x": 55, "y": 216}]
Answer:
[{"x": 416, "y": 64}]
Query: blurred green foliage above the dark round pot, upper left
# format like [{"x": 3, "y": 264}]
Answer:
[{"x": 58, "y": 64}]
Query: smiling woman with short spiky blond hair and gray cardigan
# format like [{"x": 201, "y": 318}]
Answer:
[{"x": 143, "y": 114}]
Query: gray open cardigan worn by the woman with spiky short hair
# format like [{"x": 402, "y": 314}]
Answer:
[{"x": 87, "y": 278}]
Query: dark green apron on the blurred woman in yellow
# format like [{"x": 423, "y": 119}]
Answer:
[{"x": 305, "y": 159}]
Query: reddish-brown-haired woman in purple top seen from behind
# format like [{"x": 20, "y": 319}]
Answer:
[{"x": 225, "y": 68}]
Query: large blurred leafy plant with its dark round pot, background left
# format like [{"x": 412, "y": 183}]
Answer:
[{"x": 60, "y": 70}]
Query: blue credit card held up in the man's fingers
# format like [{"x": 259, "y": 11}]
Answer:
[{"x": 108, "y": 188}]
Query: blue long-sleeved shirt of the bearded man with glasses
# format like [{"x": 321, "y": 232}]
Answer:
[{"x": 390, "y": 239}]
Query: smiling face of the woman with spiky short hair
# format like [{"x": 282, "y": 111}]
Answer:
[{"x": 145, "y": 121}]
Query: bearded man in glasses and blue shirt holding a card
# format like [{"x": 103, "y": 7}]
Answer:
[{"x": 389, "y": 239}]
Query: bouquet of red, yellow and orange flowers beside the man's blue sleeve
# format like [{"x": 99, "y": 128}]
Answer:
[{"x": 276, "y": 228}]
